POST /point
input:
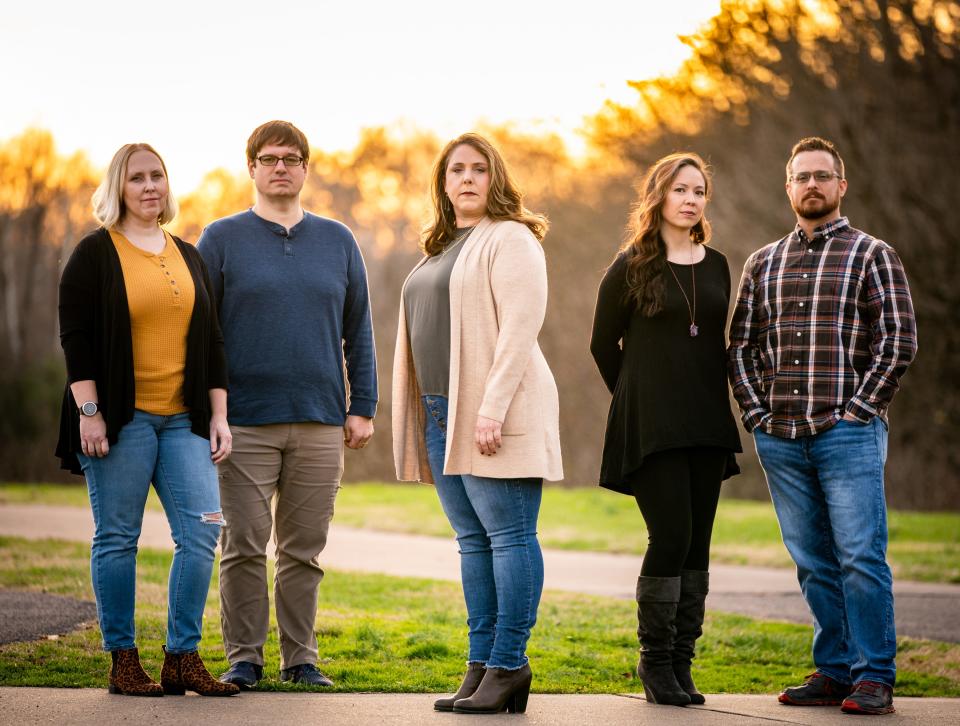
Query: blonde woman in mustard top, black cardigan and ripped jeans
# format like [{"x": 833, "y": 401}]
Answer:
[{"x": 146, "y": 401}]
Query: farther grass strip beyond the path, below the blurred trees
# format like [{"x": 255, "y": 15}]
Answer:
[{"x": 923, "y": 546}]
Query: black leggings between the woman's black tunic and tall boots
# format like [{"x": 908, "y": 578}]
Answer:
[{"x": 677, "y": 492}]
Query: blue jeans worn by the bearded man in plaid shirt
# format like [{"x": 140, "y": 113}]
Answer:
[{"x": 827, "y": 490}]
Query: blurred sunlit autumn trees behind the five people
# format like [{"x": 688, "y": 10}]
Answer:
[{"x": 882, "y": 79}]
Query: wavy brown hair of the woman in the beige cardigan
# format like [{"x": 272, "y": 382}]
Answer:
[{"x": 504, "y": 198}]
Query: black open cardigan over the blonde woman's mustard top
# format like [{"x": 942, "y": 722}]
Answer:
[{"x": 98, "y": 346}]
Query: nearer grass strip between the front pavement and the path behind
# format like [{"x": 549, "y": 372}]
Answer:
[{"x": 380, "y": 633}]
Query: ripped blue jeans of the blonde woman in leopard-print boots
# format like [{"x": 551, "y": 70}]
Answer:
[{"x": 161, "y": 449}]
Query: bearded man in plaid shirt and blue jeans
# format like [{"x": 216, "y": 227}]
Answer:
[{"x": 822, "y": 332}]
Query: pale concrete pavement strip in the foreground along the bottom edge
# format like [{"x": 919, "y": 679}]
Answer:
[{"x": 65, "y": 707}]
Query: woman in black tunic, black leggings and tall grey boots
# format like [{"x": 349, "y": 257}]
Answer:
[{"x": 659, "y": 342}]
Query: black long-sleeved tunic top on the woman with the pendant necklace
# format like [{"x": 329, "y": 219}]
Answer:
[{"x": 669, "y": 388}]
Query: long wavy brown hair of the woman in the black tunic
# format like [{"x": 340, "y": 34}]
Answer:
[{"x": 644, "y": 247}]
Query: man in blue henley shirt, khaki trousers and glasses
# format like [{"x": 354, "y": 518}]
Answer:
[{"x": 295, "y": 312}]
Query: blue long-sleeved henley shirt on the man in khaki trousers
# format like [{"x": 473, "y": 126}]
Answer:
[{"x": 294, "y": 306}]
